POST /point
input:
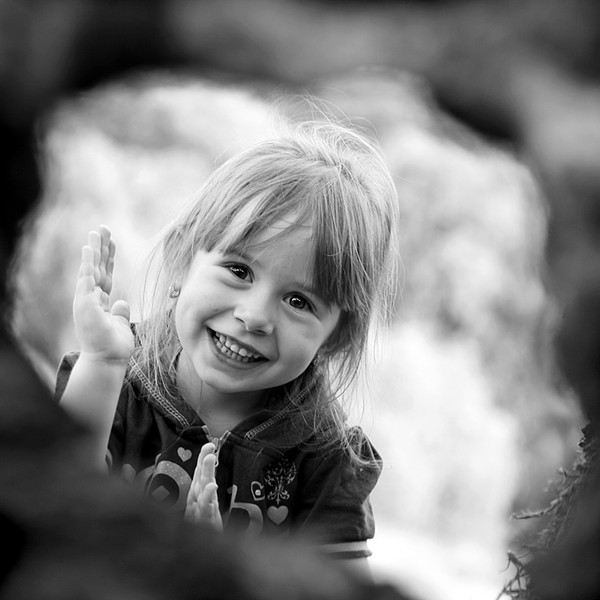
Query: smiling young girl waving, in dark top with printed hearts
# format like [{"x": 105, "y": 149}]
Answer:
[{"x": 223, "y": 401}]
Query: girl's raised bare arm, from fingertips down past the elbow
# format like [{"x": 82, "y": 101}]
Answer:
[{"x": 106, "y": 343}]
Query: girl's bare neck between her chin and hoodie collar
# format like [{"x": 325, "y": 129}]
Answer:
[{"x": 220, "y": 411}]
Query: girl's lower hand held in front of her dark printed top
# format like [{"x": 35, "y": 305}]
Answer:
[{"x": 202, "y": 501}]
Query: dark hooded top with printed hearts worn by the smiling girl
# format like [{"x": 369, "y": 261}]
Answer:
[{"x": 274, "y": 475}]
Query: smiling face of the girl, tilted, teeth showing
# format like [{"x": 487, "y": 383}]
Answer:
[{"x": 250, "y": 323}]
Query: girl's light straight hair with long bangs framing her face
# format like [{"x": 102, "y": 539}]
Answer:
[{"x": 323, "y": 174}]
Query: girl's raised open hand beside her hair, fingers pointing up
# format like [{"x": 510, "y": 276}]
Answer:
[{"x": 103, "y": 331}]
